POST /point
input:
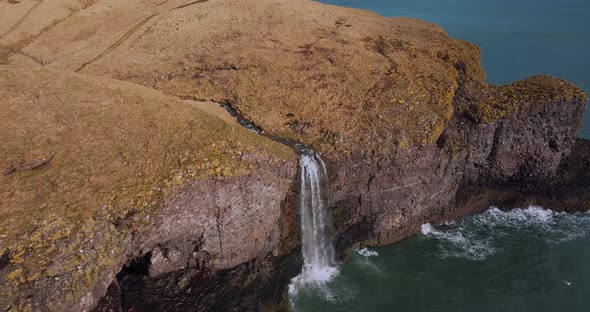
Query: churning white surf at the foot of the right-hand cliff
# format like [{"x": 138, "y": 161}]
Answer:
[{"x": 477, "y": 237}]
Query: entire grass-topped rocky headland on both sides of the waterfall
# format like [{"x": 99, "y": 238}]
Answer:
[{"x": 177, "y": 207}]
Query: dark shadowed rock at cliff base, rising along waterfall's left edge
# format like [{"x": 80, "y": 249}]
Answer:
[{"x": 256, "y": 285}]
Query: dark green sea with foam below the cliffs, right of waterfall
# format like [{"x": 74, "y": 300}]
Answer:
[{"x": 528, "y": 260}]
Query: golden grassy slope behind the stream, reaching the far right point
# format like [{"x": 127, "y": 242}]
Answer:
[{"x": 343, "y": 80}]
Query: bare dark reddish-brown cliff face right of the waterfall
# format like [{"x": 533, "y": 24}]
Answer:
[{"x": 518, "y": 159}]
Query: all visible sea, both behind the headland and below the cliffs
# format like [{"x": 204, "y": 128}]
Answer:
[{"x": 521, "y": 260}]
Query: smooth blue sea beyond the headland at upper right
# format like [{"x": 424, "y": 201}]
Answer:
[{"x": 519, "y": 38}]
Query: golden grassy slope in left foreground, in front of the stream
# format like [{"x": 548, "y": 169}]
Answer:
[{"x": 85, "y": 161}]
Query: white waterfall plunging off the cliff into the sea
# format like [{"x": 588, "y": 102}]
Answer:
[{"x": 319, "y": 265}]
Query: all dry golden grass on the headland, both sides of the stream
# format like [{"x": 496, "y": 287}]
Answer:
[{"x": 84, "y": 155}]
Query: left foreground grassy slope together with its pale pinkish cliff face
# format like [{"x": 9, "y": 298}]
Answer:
[{"x": 91, "y": 166}]
